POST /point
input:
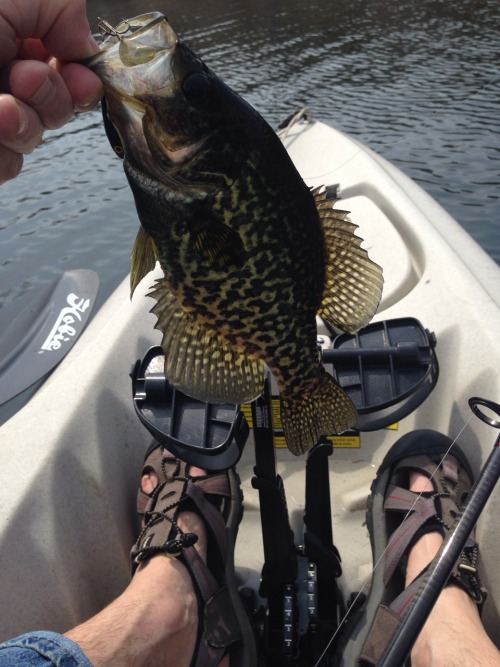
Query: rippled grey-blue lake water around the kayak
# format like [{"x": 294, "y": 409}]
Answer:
[{"x": 418, "y": 81}]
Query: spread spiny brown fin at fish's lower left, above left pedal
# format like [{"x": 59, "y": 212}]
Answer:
[{"x": 198, "y": 361}]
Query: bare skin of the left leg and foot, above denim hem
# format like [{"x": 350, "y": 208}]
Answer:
[{"x": 155, "y": 621}]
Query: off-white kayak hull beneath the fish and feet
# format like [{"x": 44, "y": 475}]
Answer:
[{"x": 71, "y": 456}]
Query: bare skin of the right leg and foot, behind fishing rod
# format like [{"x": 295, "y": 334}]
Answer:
[{"x": 453, "y": 635}]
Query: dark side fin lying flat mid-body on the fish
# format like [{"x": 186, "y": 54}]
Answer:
[{"x": 220, "y": 246}]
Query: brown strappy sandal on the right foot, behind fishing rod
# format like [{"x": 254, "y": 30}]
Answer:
[{"x": 371, "y": 628}]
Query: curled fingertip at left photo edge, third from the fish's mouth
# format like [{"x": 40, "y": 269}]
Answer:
[{"x": 20, "y": 127}]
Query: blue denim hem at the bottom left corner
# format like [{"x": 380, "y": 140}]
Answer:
[{"x": 42, "y": 649}]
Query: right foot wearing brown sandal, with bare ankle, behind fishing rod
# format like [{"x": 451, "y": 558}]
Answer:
[{"x": 419, "y": 461}]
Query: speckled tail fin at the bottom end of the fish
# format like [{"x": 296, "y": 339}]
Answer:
[{"x": 325, "y": 409}]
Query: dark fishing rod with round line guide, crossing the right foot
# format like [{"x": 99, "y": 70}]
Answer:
[{"x": 412, "y": 623}]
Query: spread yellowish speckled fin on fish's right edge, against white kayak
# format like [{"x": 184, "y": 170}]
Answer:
[{"x": 353, "y": 284}]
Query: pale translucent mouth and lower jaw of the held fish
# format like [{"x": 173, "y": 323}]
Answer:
[{"x": 144, "y": 67}]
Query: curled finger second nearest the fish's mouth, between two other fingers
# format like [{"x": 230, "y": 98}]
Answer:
[{"x": 42, "y": 88}]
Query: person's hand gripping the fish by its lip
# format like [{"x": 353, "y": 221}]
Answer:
[{"x": 40, "y": 86}]
